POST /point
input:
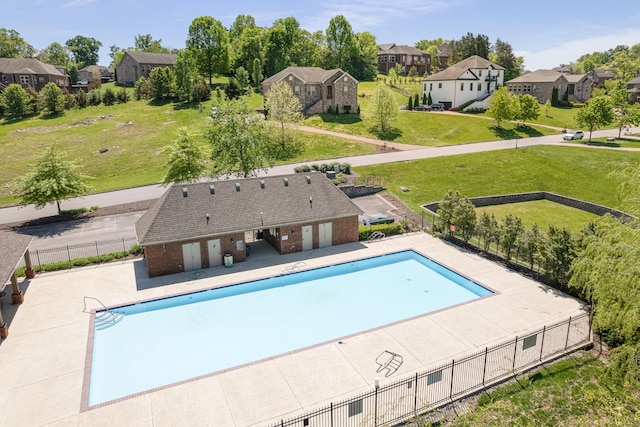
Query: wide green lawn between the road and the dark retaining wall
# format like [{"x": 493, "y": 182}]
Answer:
[{"x": 581, "y": 173}]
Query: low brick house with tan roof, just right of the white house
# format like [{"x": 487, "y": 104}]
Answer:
[{"x": 540, "y": 83}]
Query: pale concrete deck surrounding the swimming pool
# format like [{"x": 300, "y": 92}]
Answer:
[{"x": 43, "y": 359}]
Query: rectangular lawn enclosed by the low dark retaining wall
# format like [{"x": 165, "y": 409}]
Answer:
[{"x": 543, "y": 213}]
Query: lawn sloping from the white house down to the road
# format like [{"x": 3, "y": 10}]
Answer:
[{"x": 419, "y": 127}]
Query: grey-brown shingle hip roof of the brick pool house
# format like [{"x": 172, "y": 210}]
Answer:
[{"x": 175, "y": 217}]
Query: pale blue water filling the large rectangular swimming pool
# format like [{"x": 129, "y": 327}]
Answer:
[{"x": 173, "y": 339}]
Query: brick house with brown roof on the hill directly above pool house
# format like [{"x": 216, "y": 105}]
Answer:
[{"x": 317, "y": 89}]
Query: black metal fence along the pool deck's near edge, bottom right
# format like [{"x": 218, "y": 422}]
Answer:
[{"x": 411, "y": 396}]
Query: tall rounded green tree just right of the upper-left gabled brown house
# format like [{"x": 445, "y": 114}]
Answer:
[{"x": 208, "y": 42}]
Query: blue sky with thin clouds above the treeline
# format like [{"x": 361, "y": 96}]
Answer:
[{"x": 547, "y": 33}]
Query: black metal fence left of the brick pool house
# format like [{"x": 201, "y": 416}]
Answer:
[{"x": 40, "y": 257}]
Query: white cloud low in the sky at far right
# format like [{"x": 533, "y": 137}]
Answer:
[{"x": 570, "y": 51}]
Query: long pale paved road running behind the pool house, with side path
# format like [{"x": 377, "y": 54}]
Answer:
[{"x": 18, "y": 214}]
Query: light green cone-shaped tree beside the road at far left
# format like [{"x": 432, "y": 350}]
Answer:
[{"x": 54, "y": 180}]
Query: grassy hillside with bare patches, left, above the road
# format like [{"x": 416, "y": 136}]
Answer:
[{"x": 135, "y": 134}]
